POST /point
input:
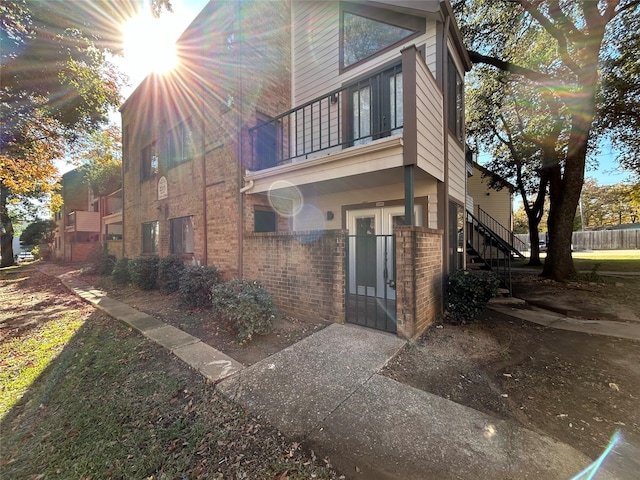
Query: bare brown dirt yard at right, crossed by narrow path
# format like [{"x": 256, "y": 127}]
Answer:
[{"x": 575, "y": 387}]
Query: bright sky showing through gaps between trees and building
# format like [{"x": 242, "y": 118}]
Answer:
[{"x": 148, "y": 41}]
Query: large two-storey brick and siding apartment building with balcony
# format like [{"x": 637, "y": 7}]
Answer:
[{"x": 288, "y": 125}]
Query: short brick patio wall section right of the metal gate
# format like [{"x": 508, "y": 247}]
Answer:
[{"x": 419, "y": 278}]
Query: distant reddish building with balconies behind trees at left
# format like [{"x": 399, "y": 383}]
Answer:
[{"x": 86, "y": 221}]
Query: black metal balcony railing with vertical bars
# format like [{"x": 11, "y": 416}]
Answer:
[{"x": 354, "y": 114}]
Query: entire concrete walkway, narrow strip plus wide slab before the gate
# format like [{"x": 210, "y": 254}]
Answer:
[{"x": 326, "y": 391}]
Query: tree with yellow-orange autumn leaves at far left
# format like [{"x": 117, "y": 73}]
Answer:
[{"x": 57, "y": 85}]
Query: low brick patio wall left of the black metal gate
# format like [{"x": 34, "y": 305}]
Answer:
[{"x": 304, "y": 271}]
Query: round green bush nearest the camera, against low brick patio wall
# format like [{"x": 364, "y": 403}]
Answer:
[{"x": 246, "y": 305}]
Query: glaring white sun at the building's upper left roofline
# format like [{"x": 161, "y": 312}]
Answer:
[{"x": 149, "y": 44}]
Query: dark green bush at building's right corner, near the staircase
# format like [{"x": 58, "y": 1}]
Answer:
[{"x": 469, "y": 293}]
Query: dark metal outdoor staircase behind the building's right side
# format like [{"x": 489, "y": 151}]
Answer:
[{"x": 486, "y": 250}]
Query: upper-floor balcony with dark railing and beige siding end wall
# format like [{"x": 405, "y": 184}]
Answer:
[{"x": 392, "y": 118}]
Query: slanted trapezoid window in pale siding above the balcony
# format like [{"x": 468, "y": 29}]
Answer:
[{"x": 368, "y": 31}]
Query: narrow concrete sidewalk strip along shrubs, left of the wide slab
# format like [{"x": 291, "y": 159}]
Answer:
[{"x": 211, "y": 363}]
